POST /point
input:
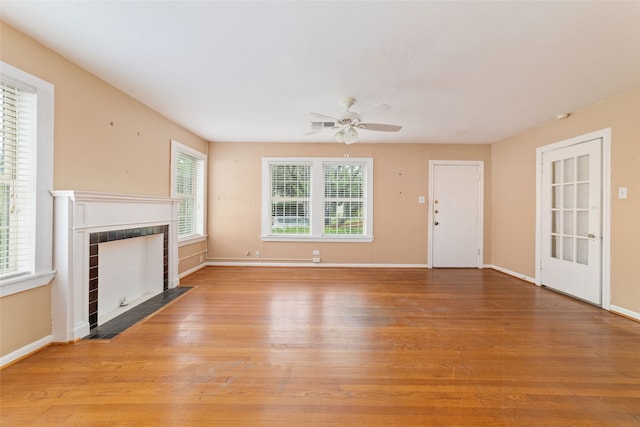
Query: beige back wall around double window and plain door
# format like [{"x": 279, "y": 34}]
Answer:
[{"x": 400, "y": 223}]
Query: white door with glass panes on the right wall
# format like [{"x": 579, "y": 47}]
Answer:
[{"x": 571, "y": 258}]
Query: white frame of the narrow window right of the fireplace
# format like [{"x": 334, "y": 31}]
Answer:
[{"x": 200, "y": 225}]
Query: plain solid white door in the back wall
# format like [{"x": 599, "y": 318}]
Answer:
[{"x": 455, "y": 215}]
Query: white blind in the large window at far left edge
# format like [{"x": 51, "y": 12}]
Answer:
[{"x": 17, "y": 181}]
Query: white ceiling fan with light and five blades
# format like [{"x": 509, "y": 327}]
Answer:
[{"x": 347, "y": 122}]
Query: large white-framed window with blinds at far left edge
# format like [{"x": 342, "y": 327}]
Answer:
[{"x": 26, "y": 179}]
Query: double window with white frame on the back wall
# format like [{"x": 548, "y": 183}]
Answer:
[{"x": 317, "y": 199}]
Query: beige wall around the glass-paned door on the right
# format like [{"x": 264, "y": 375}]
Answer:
[{"x": 513, "y": 186}]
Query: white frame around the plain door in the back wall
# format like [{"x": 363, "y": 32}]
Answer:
[{"x": 480, "y": 241}]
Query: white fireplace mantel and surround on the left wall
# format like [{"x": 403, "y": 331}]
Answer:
[{"x": 77, "y": 214}]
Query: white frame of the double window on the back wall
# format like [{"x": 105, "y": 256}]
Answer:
[{"x": 317, "y": 200}]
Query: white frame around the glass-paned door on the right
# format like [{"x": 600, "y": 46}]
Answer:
[{"x": 605, "y": 274}]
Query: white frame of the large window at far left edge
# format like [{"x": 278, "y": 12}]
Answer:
[{"x": 43, "y": 271}]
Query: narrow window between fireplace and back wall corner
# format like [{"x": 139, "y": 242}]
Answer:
[{"x": 188, "y": 172}]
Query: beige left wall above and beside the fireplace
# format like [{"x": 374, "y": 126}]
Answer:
[{"x": 104, "y": 141}]
